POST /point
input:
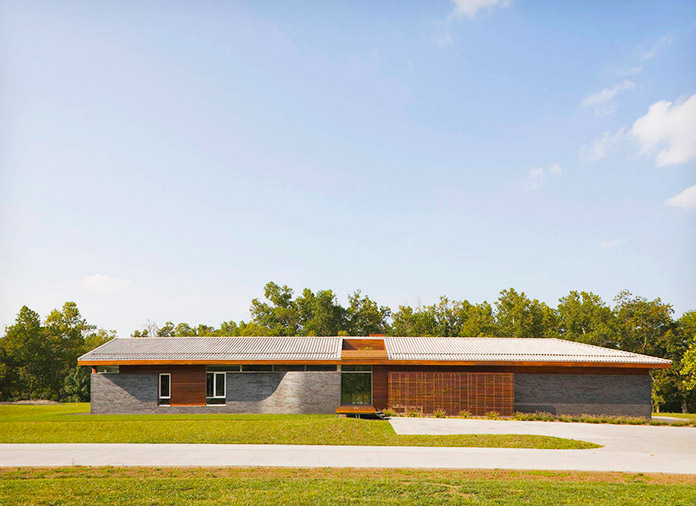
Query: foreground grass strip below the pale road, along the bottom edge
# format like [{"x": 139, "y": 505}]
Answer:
[{"x": 336, "y": 486}]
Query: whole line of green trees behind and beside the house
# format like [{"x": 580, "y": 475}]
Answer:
[{"x": 38, "y": 358}]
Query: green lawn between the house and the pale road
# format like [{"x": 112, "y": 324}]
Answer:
[{"x": 70, "y": 423}]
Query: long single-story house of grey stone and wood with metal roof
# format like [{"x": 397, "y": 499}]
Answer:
[{"x": 346, "y": 374}]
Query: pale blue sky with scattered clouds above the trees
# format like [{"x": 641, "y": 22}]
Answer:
[{"x": 164, "y": 160}]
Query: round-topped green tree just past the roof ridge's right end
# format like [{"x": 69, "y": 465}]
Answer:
[{"x": 584, "y": 317}]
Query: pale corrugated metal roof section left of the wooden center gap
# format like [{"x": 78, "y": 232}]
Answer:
[{"x": 219, "y": 348}]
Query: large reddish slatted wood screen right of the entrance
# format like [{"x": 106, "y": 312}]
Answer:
[{"x": 453, "y": 392}]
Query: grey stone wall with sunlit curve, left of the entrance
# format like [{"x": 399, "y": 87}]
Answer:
[{"x": 280, "y": 392}]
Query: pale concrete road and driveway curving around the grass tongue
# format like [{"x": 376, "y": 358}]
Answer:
[{"x": 627, "y": 448}]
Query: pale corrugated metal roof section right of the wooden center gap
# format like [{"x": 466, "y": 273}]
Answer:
[{"x": 492, "y": 349}]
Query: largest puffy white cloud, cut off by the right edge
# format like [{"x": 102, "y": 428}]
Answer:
[{"x": 671, "y": 127}]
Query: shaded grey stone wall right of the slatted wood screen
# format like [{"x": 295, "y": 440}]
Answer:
[{"x": 576, "y": 394}]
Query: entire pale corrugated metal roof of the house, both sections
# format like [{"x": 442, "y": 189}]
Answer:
[{"x": 441, "y": 349}]
